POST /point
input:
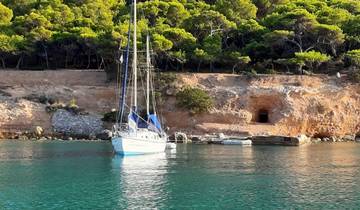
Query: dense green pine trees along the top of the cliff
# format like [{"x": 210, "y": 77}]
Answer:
[{"x": 238, "y": 35}]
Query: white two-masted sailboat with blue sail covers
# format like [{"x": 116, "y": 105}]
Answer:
[{"x": 140, "y": 135}]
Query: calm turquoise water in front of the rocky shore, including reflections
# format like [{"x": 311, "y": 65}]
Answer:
[{"x": 86, "y": 175}]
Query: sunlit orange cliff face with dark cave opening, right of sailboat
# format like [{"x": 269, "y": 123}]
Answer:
[{"x": 318, "y": 106}]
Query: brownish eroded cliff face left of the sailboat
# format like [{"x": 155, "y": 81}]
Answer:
[{"x": 20, "y": 91}]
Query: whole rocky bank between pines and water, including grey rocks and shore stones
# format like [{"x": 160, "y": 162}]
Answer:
[{"x": 267, "y": 109}]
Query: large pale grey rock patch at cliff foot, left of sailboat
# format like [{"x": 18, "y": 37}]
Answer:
[{"x": 76, "y": 125}]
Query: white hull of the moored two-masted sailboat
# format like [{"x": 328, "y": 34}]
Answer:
[{"x": 132, "y": 145}]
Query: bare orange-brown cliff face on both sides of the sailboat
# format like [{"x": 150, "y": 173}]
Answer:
[{"x": 275, "y": 105}]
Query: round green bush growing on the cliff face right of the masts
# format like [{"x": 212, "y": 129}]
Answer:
[{"x": 194, "y": 99}]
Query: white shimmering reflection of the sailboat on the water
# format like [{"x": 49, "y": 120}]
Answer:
[{"x": 142, "y": 180}]
